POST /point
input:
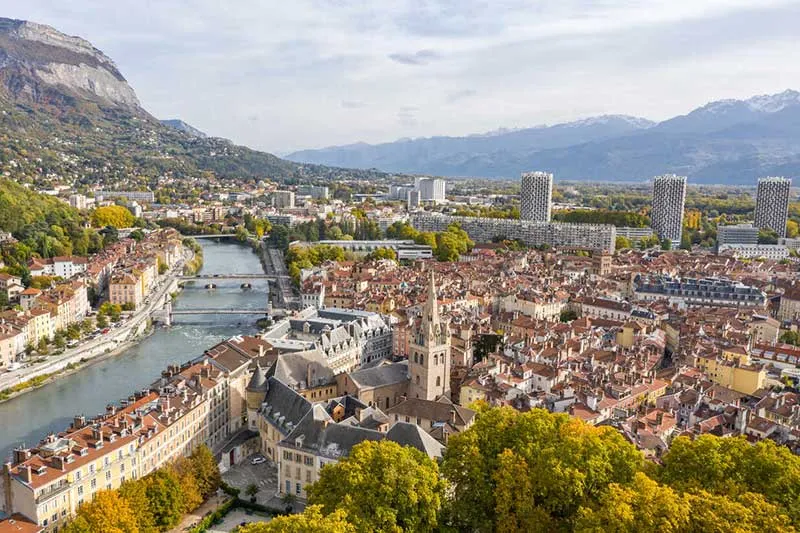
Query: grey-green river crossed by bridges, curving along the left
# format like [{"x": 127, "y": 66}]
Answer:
[{"x": 30, "y": 417}]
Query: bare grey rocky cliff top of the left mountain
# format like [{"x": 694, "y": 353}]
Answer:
[{"x": 42, "y": 65}]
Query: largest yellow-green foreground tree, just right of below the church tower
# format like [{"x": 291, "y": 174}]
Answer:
[{"x": 562, "y": 464}]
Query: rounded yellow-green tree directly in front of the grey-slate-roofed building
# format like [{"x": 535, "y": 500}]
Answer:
[{"x": 382, "y": 487}]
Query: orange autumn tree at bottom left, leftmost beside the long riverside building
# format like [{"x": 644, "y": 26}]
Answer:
[{"x": 106, "y": 513}]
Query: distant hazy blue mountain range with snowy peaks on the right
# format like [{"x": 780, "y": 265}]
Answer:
[{"x": 728, "y": 142}]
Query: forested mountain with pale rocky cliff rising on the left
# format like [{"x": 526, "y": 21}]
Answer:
[{"x": 66, "y": 111}]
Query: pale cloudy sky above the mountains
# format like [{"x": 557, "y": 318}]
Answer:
[{"x": 285, "y": 75}]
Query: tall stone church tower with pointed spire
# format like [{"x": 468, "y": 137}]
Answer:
[{"x": 429, "y": 352}]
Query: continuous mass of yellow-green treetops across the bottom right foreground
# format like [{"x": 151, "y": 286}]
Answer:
[{"x": 539, "y": 471}]
